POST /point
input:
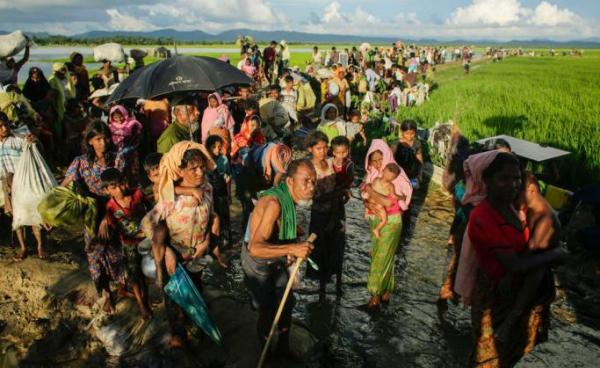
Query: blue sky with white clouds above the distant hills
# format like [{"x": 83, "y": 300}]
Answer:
[{"x": 412, "y": 19}]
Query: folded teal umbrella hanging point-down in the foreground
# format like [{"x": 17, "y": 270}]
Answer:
[{"x": 182, "y": 291}]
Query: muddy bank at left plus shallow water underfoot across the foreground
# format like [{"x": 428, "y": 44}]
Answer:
[{"x": 406, "y": 333}]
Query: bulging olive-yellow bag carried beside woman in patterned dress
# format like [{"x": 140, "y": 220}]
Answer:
[{"x": 64, "y": 207}]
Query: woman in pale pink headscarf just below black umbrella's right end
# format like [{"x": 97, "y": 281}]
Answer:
[{"x": 217, "y": 120}]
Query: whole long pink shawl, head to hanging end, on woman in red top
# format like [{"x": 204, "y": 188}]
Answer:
[{"x": 466, "y": 273}]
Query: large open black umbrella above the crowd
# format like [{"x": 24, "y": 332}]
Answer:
[{"x": 179, "y": 74}]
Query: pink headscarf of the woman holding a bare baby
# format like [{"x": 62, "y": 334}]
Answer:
[{"x": 401, "y": 183}]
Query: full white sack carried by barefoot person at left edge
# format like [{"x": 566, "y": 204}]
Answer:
[{"x": 32, "y": 180}]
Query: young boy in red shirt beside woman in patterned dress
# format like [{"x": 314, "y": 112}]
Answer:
[{"x": 124, "y": 213}]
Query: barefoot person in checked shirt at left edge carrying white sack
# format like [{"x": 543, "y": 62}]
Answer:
[{"x": 11, "y": 148}]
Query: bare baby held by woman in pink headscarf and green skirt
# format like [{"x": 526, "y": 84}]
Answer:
[{"x": 384, "y": 186}]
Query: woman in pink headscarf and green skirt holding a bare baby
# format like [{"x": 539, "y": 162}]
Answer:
[{"x": 381, "y": 281}]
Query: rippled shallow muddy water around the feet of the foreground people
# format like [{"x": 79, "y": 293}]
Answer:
[{"x": 408, "y": 332}]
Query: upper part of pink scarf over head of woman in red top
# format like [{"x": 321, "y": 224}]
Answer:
[{"x": 474, "y": 166}]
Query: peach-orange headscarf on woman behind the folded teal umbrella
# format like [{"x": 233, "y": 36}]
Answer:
[{"x": 170, "y": 172}]
